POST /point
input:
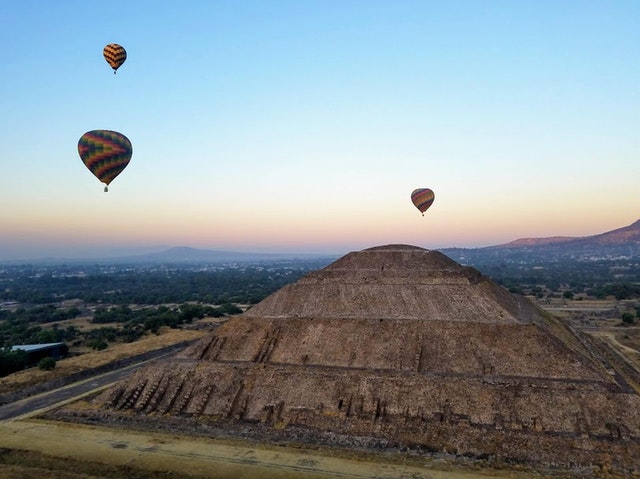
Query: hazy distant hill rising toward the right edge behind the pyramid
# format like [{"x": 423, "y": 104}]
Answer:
[{"x": 619, "y": 243}]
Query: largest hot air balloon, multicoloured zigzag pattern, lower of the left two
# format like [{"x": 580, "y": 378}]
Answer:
[{"x": 106, "y": 153}]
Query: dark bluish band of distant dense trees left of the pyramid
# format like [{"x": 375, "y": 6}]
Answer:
[{"x": 125, "y": 286}]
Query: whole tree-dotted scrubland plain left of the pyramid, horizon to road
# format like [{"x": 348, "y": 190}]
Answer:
[{"x": 48, "y": 304}]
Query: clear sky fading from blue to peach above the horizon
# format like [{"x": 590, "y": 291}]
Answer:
[{"x": 303, "y": 126}]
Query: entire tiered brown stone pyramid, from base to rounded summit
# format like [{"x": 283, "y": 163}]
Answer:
[{"x": 398, "y": 346}]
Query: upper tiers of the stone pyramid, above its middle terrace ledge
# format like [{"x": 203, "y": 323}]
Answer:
[{"x": 395, "y": 282}]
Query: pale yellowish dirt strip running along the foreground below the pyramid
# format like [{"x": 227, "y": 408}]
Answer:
[{"x": 207, "y": 458}]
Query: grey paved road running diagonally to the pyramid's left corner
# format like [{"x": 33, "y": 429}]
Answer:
[{"x": 38, "y": 403}]
